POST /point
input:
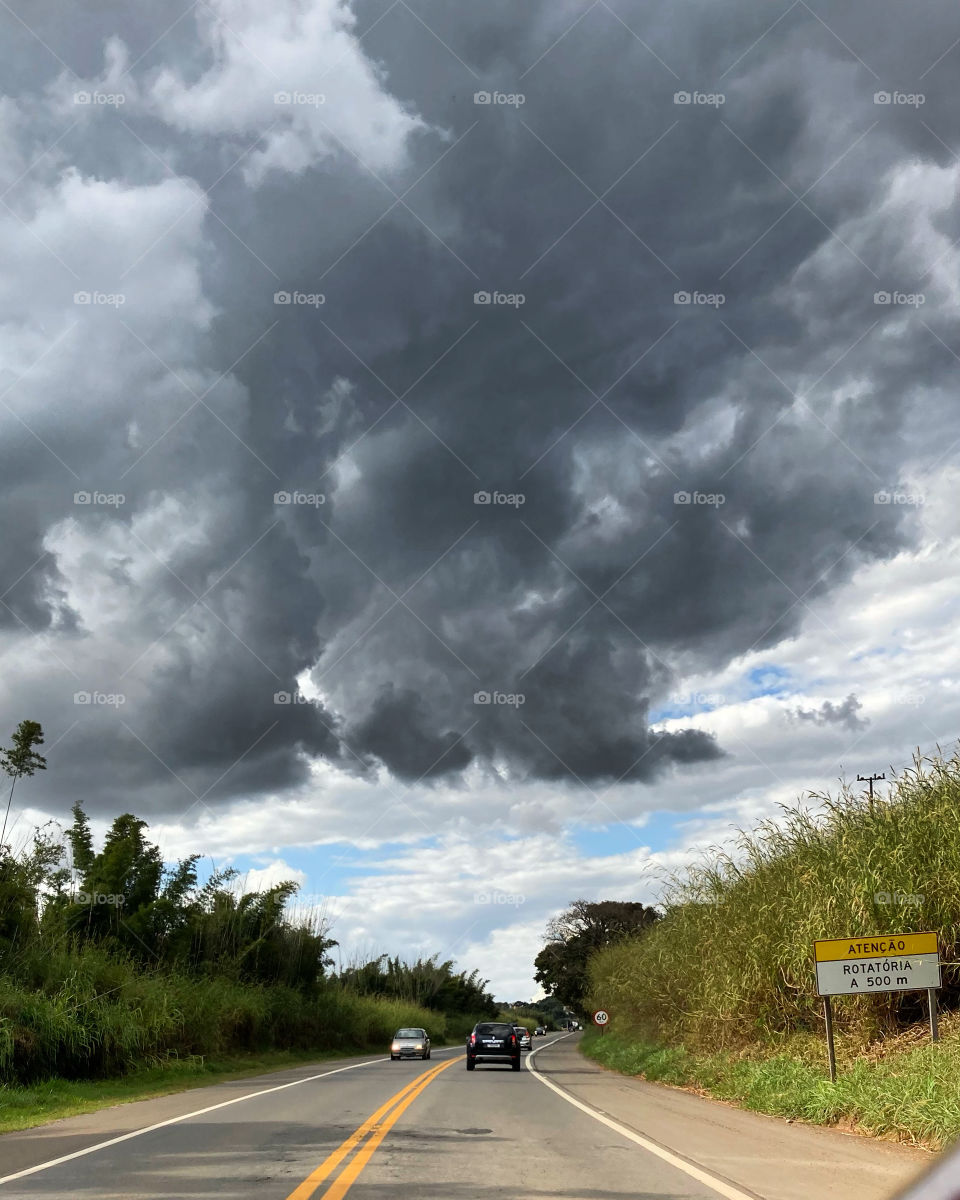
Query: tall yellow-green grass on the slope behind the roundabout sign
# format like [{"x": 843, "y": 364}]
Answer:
[{"x": 731, "y": 964}]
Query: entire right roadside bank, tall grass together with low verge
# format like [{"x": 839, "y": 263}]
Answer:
[{"x": 722, "y": 994}]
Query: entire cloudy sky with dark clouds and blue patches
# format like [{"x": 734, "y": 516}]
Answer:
[{"x": 471, "y": 458}]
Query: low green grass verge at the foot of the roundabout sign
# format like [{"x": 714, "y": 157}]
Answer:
[{"x": 904, "y": 1090}]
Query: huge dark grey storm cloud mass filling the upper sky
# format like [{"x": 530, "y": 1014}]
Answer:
[{"x": 597, "y": 405}]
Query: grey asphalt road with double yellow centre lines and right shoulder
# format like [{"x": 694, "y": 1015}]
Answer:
[{"x": 561, "y": 1130}]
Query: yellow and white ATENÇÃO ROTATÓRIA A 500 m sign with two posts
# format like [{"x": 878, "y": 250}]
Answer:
[{"x": 854, "y": 967}]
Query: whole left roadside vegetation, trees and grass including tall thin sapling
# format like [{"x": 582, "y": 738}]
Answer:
[{"x": 111, "y": 959}]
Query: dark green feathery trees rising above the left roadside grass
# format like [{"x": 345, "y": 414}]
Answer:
[{"x": 125, "y": 902}]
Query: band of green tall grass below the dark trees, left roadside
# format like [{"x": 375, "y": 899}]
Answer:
[{"x": 89, "y": 1015}]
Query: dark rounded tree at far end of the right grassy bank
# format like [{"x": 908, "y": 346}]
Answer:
[{"x": 577, "y": 934}]
